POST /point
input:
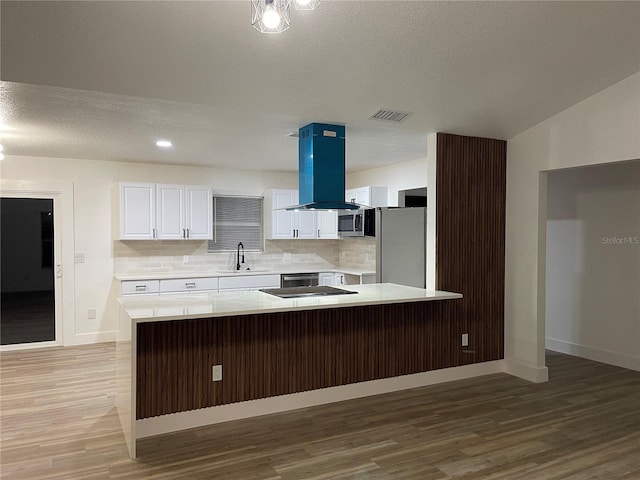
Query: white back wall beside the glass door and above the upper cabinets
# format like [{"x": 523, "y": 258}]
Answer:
[{"x": 94, "y": 217}]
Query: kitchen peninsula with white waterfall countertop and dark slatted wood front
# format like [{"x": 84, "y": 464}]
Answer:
[{"x": 267, "y": 346}]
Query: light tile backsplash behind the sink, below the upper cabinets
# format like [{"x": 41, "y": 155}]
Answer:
[{"x": 190, "y": 256}]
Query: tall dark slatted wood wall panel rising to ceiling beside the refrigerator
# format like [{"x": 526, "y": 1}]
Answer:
[{"x": 471, "y": 196}]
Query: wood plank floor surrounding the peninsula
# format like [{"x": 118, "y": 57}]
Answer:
[{"x": 59, "y": 422}]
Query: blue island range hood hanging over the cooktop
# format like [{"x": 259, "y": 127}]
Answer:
[{"x": 321, "y": 168}]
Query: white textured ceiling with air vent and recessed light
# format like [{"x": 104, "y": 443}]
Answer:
[{"x": 104, "y": 80}]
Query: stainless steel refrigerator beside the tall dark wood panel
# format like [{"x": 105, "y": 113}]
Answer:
[{"x": 401, "y": 246}]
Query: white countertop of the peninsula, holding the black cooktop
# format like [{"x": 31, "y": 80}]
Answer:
[{"x": 152, "y": 308}]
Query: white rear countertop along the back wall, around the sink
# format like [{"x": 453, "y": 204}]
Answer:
[{"x": 227, "y": 273}]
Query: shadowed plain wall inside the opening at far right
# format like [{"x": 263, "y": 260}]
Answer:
[{"x": 593, "y": 263}]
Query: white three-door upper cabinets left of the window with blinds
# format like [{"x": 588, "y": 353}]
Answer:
[{"x": 165, "y": 212}]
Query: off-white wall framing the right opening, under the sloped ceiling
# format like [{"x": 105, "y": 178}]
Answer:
[{"x": 603, "y": 128}]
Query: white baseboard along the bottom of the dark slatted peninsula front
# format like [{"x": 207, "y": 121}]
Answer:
[{"x": 207, "y": 416}]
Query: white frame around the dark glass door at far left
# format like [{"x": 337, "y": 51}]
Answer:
[{"x": 62, "y": 195}]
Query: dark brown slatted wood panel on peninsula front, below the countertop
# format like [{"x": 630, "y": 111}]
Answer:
[{"x": 279, "y": 353}]
